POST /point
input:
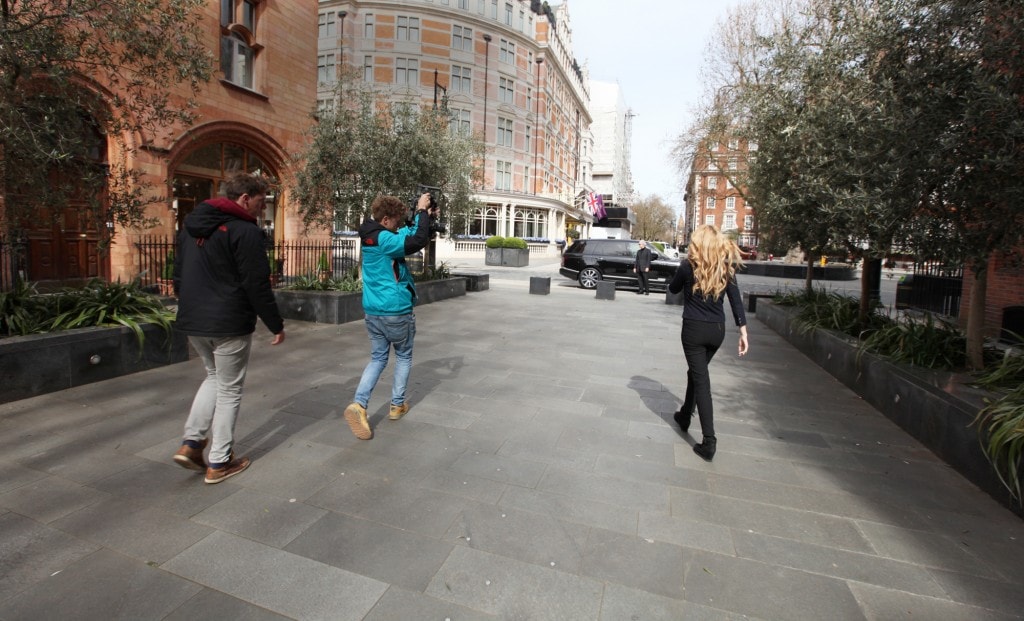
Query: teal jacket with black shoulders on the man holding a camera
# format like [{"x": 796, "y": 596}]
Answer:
[{"x": 388, "y": 284}]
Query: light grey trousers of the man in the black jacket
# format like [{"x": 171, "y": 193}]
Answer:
[{"x": 217, "y": 404}]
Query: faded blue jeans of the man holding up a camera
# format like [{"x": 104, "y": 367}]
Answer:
[{"x": 386, "y": 332}]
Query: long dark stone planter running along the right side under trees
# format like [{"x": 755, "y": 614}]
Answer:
[{"x": 936, "y": 408}]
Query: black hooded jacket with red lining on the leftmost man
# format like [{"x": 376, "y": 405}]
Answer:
[{"x": 222, "y": 274}]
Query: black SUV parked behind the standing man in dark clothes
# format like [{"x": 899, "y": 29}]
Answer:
[{"x": 591, "y": 261}]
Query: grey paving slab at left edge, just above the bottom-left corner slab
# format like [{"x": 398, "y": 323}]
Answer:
[{"x": 30, "y": 553}]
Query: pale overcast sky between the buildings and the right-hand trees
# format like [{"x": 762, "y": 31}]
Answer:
[{"x": 654, "y": 51}]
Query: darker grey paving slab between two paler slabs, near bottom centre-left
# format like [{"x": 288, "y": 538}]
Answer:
[{"x": 393, "y": 556}]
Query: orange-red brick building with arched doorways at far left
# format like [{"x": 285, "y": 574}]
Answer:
[{"x": 251, "y": 117}]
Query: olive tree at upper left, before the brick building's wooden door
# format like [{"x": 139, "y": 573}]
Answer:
[{"x": 78, "y": 75}]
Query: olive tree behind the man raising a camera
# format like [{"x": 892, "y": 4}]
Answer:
[{"x": 367, "y": 145}]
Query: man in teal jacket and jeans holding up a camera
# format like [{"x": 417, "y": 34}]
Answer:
[{"x": 389, "y": 298}]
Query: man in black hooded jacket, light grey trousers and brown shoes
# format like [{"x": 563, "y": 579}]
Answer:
[{"x": 223, "y": 278}]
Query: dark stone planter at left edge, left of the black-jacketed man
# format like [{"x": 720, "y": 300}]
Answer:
[{"x": 45, "y": 363}]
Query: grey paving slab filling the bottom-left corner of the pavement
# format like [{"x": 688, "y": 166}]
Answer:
[{"x": 102, "y": 586}]
